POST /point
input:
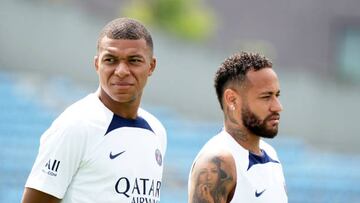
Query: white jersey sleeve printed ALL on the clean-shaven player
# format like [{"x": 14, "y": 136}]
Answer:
[{"x": 60, "y": 153}]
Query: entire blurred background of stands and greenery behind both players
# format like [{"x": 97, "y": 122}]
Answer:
[{"x": 46, "y": 63}]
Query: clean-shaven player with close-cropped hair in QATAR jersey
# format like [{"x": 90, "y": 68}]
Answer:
[{"x": 105, "y": 148}]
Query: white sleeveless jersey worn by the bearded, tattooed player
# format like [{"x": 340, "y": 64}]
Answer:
[{"x": 260, "y": 179}]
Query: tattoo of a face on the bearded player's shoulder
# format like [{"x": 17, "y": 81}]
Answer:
[{"x": 211, "y": 182}]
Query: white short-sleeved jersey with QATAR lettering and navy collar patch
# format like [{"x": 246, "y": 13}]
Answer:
[{"x": 90, "y": 155}]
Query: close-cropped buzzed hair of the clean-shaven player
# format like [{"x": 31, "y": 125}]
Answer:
[{"x": 126, "y": 28}]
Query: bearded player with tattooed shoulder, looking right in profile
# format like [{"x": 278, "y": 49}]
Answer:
[{"x": 236, "y": 165}]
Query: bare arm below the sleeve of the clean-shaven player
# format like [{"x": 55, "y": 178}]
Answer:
[{"x": 36, "y": 196}]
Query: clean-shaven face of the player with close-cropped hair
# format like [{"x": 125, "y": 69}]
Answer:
[{"x": 123, "y": 67}]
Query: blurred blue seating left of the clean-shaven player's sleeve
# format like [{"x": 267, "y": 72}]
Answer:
[{"x": 22, "y": 120}]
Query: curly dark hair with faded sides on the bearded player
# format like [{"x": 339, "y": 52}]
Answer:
[{"x": 235, "y": 67}]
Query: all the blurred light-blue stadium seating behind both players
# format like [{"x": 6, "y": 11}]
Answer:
[{"x": 312, "y": 176}]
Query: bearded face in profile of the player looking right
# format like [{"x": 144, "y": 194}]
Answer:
[{"x": 262, "y": 95}]
